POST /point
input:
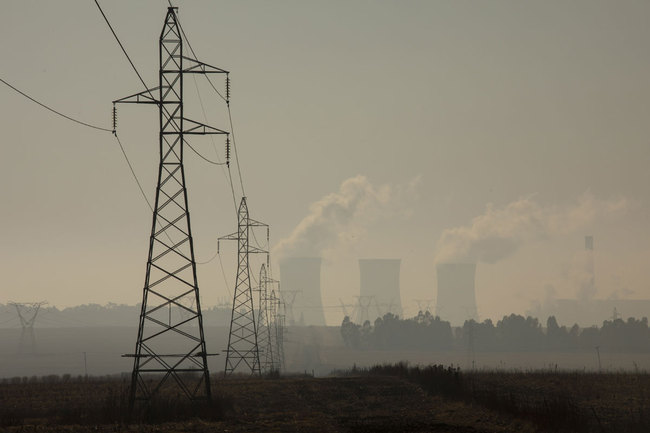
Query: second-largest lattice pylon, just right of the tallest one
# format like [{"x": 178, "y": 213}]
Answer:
[{"x": 243, "y": 349}]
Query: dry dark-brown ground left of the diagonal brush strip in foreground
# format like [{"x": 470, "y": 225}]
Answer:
[{"x": 286, "y": 404}]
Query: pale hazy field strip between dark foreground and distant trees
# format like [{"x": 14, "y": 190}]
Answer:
[{"x": 62, "y": 351}]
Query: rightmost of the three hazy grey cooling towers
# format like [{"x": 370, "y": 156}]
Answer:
[{"x": 456, "y": 300}]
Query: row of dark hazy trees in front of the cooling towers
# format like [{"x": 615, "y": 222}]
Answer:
[{"x": 512, "y": 333}]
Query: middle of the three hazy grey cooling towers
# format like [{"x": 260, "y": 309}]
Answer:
[{"x": 380, "y": 287}]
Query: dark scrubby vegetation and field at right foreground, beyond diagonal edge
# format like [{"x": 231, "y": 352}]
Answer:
[{"x": 552, "y": 400}]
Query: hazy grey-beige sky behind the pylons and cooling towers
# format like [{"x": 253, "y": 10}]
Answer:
[{"x": 445, "y": 130}]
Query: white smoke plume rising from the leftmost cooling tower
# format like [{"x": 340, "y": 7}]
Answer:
[{"x": 341, "y": 217}]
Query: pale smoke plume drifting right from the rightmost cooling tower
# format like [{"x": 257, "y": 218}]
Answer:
[{"x": 500, "y": 232}]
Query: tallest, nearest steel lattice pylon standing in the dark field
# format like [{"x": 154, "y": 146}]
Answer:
[{"x": 171, "y": 346}]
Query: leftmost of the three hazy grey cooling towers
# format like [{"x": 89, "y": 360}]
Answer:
[{"x": 301, "y": 275}]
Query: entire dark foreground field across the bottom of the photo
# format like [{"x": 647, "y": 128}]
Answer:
[{"x": 384, "y": 399}]
